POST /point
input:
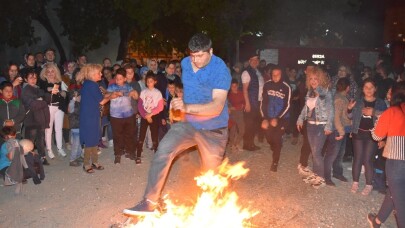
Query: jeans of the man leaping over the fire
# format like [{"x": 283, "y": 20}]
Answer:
[{"x": 181, "y": 136}]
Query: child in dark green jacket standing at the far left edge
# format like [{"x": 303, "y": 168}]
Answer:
[{"x": 12, "y": 111}]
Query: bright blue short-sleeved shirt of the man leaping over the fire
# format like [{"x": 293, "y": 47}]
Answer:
[{"x": 198, "y": 88}]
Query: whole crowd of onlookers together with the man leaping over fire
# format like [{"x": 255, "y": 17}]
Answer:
[{"x": 335, "y": 109}]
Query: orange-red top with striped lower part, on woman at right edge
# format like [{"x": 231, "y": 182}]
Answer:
[{"x": 391, "y": 124}]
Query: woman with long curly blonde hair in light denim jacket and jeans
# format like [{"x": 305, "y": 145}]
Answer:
[{"x": 318, "y": 111}]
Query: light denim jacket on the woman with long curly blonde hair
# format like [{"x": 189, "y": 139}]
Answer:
[{"x": 324, "y": 110}]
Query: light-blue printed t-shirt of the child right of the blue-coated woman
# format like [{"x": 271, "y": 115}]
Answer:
[{"x": 121, "y": 107}]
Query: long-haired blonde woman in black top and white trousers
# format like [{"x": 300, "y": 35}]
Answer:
[{"x": 52, "y": 84}]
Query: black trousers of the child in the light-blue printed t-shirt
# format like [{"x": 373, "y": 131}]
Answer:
[{"x": 123, "y": 135}]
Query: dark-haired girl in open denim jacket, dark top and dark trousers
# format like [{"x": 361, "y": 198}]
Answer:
[{"x": 363, "y": 113}]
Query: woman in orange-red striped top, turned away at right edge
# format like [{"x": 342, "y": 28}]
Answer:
[{"x": 391, "y": 125}]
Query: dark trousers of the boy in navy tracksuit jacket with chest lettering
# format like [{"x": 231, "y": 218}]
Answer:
[{"x": 274, "y": 138}]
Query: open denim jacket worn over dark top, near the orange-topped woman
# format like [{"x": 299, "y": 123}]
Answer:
[{"x": 356, "y": 113}]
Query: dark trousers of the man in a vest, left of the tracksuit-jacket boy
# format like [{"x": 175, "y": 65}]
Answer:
[{"x": 252, "y": 124}]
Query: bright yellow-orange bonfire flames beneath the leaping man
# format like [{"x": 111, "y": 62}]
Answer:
[{"x": 215, "y": 207}]
